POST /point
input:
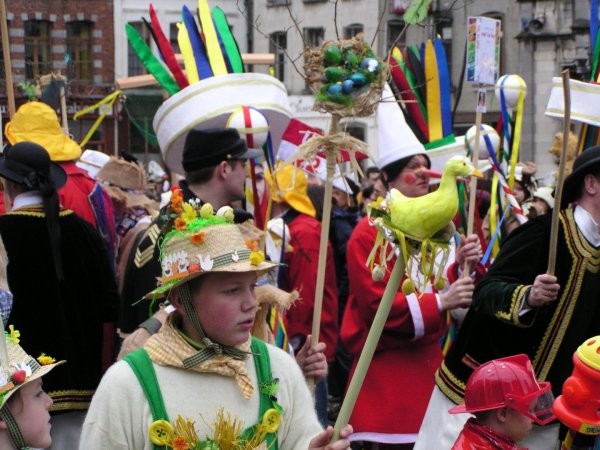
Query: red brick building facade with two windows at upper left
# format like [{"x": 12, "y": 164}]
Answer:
[{"x": 70, "y": 39}]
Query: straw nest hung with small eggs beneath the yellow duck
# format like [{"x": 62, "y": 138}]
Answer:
[{"x": 424, "y": 258}]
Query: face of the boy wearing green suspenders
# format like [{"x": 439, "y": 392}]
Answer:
[{"x": 226, "y": 307}]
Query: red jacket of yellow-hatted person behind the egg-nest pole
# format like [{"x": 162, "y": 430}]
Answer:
[{"x": 301, "y": 274}]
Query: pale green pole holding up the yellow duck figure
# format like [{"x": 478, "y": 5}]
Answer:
[{"x": 383, "y": 311}]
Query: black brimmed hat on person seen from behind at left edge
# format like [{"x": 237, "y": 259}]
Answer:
[{"x": 23, "y": 160}]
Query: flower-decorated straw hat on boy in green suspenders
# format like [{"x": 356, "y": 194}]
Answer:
[{"x": 198, "y": 241}]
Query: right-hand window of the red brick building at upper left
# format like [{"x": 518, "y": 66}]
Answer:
[{"x": 79, "y": 50}]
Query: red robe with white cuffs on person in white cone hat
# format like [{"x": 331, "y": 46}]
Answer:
[{"x": 399, "y": 382}]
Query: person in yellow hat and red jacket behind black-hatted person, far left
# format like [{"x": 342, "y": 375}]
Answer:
[{"x": 38, "y": 122}]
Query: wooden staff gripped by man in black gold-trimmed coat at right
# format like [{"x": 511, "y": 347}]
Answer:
[{"x": 561, "y": 173}]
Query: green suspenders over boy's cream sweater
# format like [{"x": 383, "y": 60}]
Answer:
[{"x": 142, "y": 367}]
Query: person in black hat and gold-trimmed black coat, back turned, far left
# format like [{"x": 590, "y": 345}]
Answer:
[{"x": 59, "y": 268}]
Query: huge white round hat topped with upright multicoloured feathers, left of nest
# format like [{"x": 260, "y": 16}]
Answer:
[{"x": 211, "y": 86}]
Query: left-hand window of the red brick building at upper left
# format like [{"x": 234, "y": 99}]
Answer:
[{"x": 38, "y": 48}]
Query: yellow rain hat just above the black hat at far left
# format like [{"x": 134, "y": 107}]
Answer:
[{"x": 37, "y": 122}]
